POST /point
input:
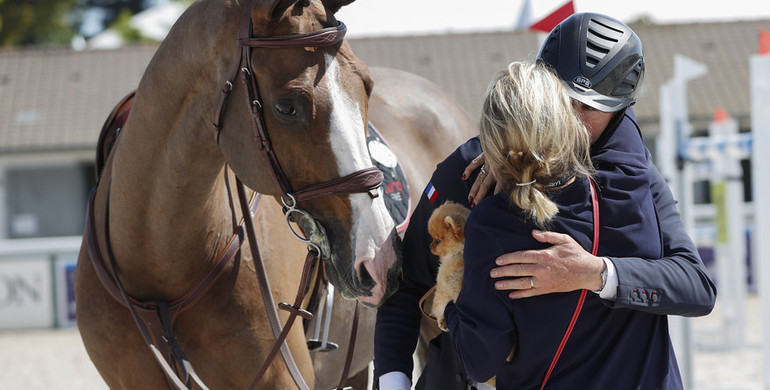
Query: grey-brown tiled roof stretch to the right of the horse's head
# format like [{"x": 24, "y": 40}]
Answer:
[{"x": 464, "y": 64}]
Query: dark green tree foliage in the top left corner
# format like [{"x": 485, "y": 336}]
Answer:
[{"x": 36, "y": 22}]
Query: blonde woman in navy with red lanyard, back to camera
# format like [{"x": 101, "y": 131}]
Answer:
[{"x": 538, "y": 150}]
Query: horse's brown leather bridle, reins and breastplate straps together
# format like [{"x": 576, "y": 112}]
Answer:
[{"x": 155, "y": 319}]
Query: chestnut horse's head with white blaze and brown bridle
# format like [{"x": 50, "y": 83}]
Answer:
[{"x": 311, "y": 96}]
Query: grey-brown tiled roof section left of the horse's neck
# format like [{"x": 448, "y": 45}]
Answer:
[{"x": 53, "y": 100}]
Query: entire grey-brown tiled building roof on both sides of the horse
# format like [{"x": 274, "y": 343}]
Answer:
[{"x": 58, "y": 99}]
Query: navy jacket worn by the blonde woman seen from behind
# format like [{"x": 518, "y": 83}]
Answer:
[{"x": 608, "y": 349}]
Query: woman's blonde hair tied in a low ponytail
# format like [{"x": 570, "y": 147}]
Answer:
[{"x": 531, "y": 132}]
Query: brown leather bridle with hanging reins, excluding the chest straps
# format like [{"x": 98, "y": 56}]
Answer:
[{"x": 312, "y": 233}]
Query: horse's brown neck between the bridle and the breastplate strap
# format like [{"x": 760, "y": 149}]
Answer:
[{"x": 169, "y": 209}]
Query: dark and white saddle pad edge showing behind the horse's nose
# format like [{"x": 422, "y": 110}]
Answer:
[{"x": 394, "y": 185}]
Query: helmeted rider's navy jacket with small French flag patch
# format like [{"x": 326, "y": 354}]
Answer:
[{"x": 688, "y": 288}]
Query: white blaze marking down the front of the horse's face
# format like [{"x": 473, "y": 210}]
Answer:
[{"x": 371, "y": 223}]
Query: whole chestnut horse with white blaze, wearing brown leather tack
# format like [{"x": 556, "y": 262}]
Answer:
[{"x": 164, "y": 213}]
